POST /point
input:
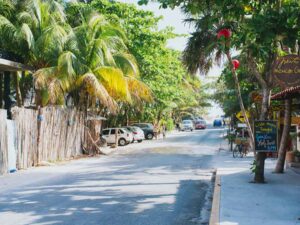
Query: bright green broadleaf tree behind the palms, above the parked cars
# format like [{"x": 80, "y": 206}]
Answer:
[{"x": 160, "y": 68}]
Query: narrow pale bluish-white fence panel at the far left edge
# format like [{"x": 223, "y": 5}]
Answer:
[{"x": 3, "y": 142}]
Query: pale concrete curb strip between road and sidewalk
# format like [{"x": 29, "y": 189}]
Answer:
[{"x": 215, "y": 209}]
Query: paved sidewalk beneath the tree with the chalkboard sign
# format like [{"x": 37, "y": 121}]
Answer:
[{"x": 243, "y": 203}]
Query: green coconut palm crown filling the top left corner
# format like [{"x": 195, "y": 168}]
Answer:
[{"x": 33, "y": 29}]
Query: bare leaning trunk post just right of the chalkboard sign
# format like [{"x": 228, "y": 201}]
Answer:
[{"x": 284, "y": 137}]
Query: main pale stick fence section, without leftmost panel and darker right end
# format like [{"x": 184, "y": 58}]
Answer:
[{"x": 50, "y": 134}]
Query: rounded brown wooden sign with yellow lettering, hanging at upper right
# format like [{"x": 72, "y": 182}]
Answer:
[{"x": 286, "y": 71}]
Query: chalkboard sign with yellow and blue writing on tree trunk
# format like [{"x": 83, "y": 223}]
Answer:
[{"x": 265, "y": 135}]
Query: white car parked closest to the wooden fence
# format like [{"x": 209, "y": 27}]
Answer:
[{"x": 124, "y": 137}]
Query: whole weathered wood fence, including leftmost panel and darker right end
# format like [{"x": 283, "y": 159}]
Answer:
[{"x": 46, "y": 135}]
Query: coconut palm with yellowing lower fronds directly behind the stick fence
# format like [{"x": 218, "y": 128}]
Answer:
[{"x": 97, "y": 64}]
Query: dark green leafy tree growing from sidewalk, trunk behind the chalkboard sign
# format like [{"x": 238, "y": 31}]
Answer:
[{"x": 262, "y": 31}]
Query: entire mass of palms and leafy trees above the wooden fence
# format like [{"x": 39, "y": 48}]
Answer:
[{"x": 105, "y": 56}]
